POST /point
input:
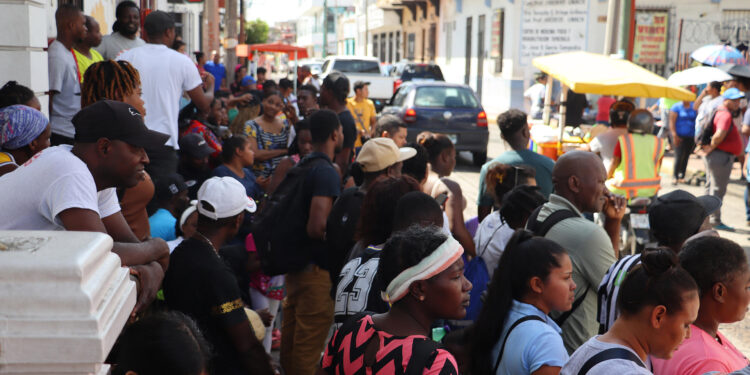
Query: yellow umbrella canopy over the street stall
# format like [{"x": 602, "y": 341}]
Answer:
[{"x": 592, "y": 73}]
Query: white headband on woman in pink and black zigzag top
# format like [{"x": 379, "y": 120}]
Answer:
[{"x": 440, "y": 259}]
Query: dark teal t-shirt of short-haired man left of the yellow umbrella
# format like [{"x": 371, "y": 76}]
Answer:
[{"x": 541, "y": 163}]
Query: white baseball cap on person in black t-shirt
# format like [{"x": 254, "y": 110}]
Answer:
[{"x": 225, "y": 196}]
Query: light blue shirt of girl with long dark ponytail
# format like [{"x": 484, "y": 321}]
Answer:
[{"x": 531, "y": 345}]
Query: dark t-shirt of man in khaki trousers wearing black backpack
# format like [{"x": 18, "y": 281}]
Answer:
[{"x": 321, "y": 181}]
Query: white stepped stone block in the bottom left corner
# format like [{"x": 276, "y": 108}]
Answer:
[{"x": 64, "y": 298}]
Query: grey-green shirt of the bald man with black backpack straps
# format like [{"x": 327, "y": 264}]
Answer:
[{"x": 590, "y": 250}]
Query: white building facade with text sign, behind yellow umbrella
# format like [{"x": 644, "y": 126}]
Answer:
[{"x": 489, "y": 44}]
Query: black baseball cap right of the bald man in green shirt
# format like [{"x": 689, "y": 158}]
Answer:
[{"x": 681, "y": 213}]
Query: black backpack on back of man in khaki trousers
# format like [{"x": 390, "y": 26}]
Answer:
[{"x": 280, "y": 227}]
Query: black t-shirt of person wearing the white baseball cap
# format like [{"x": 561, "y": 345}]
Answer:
[{"x": 199, "y": 284}]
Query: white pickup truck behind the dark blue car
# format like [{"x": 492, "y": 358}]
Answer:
[{"x": 366, "y": 69}]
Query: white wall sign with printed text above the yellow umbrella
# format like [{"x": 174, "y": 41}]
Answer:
[{"x": 552, "y": 26}]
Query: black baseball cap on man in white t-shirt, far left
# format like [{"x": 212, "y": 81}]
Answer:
[{"x": 116, "y": 121}]
